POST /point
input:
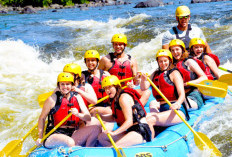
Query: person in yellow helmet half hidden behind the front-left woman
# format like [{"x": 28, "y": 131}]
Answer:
[{"x": 84, "y": 89}]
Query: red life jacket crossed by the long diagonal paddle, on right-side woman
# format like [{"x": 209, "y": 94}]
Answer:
[{"x": 166, "y": 86}]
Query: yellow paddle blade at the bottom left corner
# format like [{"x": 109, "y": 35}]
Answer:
[{"x": 7, "y": 150}]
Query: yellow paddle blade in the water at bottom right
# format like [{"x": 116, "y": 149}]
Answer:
[{"x": 208, "y": 143}]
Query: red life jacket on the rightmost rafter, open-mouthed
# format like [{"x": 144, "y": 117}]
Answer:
[{"x": 209, "y": 73}]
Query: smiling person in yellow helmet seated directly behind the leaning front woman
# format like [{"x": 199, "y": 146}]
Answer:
[{"x": 94, "y": 77}]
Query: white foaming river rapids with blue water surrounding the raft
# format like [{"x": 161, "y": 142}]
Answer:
[{"x": 35, "y": 47}]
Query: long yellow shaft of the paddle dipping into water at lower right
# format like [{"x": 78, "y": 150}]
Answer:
[{"x": 186, "y": 123}]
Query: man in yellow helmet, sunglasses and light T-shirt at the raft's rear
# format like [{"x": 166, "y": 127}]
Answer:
[{"x": 183, "y": 31}]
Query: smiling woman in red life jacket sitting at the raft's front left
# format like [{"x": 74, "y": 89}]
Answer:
[{"x": 56, "y": 108}]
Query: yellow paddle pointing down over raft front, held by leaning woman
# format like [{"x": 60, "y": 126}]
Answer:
[{"x": 120, "y": 152}]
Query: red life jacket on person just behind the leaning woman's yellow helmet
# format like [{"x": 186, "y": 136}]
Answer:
[{"x": 96, "y": 83}]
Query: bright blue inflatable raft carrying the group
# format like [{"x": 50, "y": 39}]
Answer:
[{"x": 172, "y": 140}]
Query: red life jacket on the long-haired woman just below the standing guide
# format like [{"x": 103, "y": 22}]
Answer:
[{"x": 185, "y": 72}]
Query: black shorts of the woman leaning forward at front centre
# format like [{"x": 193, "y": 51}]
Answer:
[{"x": 143, "y": 129}]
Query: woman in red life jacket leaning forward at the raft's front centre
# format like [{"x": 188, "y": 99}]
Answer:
[{"x": 129, "y": 114}]
